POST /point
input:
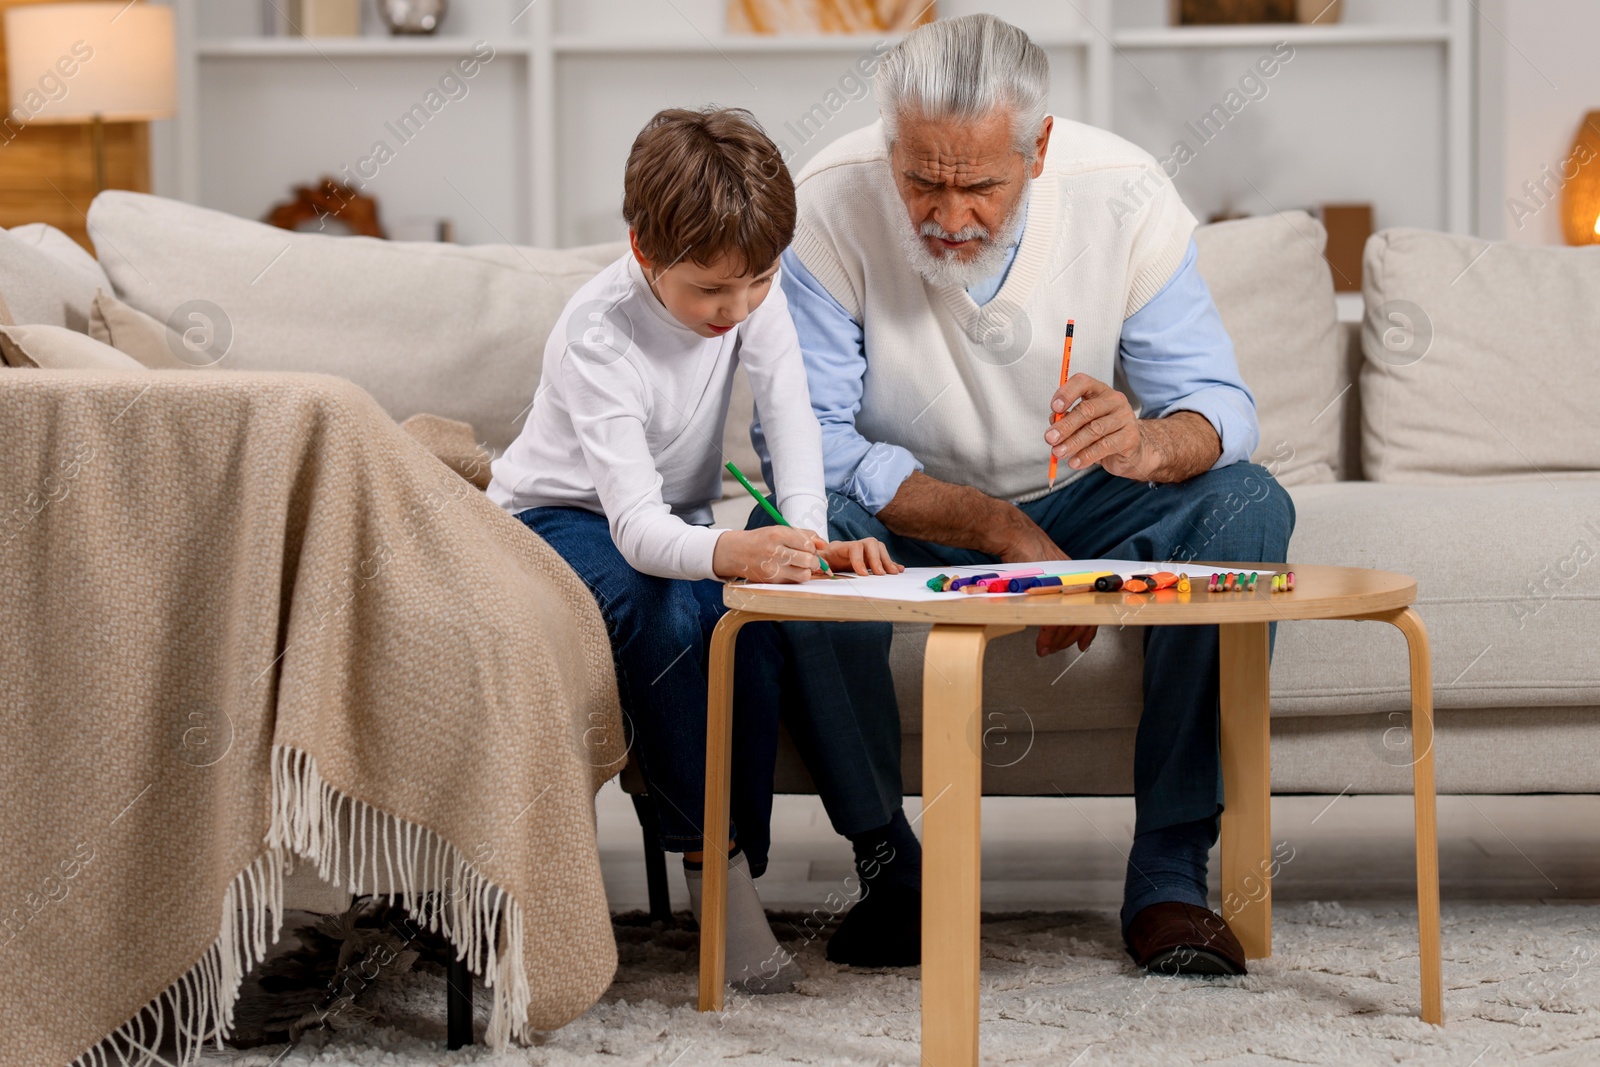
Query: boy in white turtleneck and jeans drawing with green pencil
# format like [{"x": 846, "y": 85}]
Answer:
[{"x": 620, "y": 462}]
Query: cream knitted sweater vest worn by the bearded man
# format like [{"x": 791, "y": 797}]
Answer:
[{"x": 967, "y": 390}]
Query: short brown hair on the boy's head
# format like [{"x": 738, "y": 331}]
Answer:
[{"x": 705, "y": 185}]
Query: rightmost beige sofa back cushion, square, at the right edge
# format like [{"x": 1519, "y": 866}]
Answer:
[{"x": 1479, "y": 359}]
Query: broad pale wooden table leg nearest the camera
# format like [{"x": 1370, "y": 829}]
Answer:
[{"x": 953, "y": 695}]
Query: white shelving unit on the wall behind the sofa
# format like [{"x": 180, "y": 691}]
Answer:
[{"x": 577, "y": 78}]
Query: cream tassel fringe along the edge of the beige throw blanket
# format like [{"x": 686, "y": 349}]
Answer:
[{"x": 359, "y": 849}]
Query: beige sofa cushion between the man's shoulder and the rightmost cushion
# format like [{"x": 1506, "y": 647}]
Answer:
[{"x": 1274, "y": 292}]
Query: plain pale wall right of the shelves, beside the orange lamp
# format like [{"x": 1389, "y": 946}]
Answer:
[{"x": 1540, "y": 63}]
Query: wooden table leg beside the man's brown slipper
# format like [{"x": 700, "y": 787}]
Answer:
[{"x": 1247, "y": 786}]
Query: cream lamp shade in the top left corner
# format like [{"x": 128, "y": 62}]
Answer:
[{"x": 79, "y": 62}]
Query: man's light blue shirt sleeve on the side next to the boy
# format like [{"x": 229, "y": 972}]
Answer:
[{"x": 836, "y": 366}]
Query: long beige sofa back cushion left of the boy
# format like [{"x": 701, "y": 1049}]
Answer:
[{"x": 423, "y": 327}]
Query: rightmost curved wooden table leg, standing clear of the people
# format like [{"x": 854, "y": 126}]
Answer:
[{"x": 1423, "y": 791}]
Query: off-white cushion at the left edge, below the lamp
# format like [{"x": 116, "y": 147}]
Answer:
[{"x": 47, "y": 278}]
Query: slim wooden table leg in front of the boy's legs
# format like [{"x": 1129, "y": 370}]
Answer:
[{"x": 719, "y": 753}]
